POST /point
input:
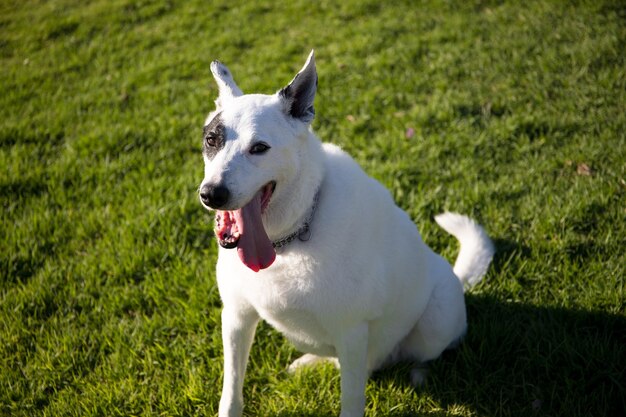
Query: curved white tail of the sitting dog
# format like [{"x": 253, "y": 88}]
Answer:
[{"x": 476, "y": 248}]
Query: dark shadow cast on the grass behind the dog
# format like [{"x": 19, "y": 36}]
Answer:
[{"x": 526, "y": 360}]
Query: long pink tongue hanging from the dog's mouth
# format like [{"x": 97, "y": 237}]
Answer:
[{"x": 254, "y": 247}]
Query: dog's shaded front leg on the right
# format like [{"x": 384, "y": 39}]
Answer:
[{"x": 352, "y": 355}]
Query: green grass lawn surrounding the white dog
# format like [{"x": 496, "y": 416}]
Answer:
[{"x": 511, "y": 112}]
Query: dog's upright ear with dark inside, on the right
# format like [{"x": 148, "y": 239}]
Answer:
[{"x": 299, "y": 95}]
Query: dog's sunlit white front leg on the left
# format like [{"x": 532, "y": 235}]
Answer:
[{"x": 238, "y": 327}]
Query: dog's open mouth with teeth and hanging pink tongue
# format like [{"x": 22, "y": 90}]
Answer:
[{"x": 243, "y": 229}]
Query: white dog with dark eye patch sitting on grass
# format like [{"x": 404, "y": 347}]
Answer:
[{"x": 315, "y": 247}]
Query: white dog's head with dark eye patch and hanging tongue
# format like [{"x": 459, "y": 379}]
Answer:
[{"x": 249, "y": 154}]
